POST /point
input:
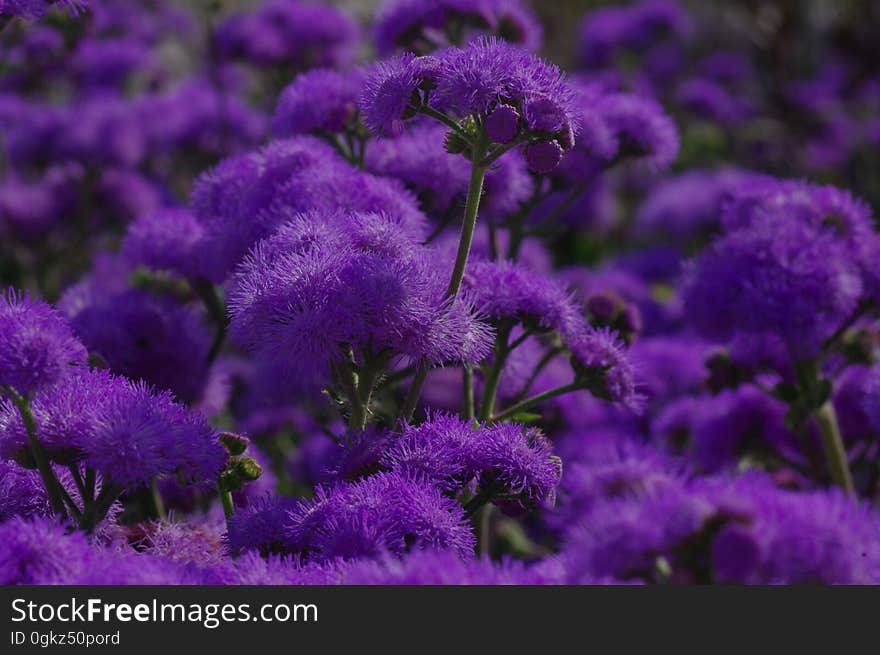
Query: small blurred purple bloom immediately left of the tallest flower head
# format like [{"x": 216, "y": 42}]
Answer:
[{"x": 319, "y": 100}]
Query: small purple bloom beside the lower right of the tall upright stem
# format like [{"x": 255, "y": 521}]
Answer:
[{"x": 504, "y": 290}]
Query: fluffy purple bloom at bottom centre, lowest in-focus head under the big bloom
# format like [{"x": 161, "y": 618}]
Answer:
[{"x": 386, "y": 512}]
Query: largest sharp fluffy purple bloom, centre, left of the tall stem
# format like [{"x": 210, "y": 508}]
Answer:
[{"x": 328, "y": 283}]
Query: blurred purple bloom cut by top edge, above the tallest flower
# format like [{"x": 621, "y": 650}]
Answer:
[{"x": 421, "y": 25}]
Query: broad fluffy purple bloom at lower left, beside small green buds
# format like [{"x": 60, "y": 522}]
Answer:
[{"x": 123, "y": 430}]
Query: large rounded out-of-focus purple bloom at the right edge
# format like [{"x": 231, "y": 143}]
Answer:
[{"x": 783, "y": 278}]
